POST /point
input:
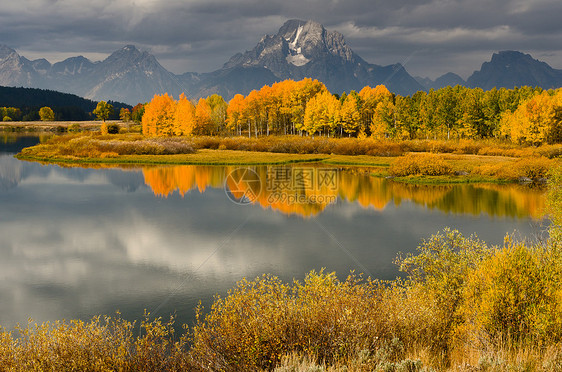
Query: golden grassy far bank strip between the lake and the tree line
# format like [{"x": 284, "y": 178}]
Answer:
[{"x": 415, "y": 161}]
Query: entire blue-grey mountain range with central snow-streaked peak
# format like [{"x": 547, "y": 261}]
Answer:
[{"x": 300, "y": 49}]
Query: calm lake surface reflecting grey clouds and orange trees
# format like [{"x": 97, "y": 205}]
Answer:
[{"x": 76, "y": 242}]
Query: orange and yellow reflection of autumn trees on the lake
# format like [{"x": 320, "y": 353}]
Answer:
[{"x": 279, "y": 191}]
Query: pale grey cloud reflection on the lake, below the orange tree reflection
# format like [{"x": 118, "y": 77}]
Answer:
[{"x": 76, "y": 242}]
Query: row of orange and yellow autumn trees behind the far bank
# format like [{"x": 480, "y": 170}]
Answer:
[{"x": 306, "y": 107}]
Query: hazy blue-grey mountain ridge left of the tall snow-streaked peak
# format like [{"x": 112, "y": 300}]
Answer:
[{"x": 126, "y": 75}]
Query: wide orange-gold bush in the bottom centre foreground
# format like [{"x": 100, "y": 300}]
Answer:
[{"x": 261, "y": 321}]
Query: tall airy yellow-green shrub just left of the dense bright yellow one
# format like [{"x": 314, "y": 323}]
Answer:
[{"x": 434, "y": 287}]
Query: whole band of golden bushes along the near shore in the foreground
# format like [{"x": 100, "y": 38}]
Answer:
[{"x": 462, "y": 306}]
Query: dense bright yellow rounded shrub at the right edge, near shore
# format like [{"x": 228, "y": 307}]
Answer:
[{"x": 513, "y": 297}]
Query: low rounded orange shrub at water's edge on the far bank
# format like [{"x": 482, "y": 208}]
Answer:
[{"x": 420, "y": 164}]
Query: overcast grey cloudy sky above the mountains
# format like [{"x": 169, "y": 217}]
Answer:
[{"x": 430, "y": 37}]
